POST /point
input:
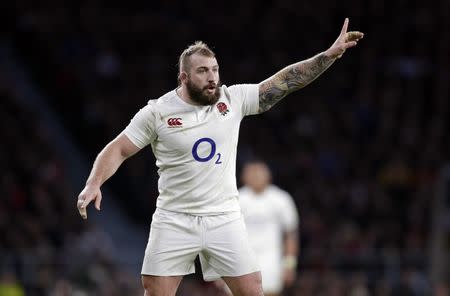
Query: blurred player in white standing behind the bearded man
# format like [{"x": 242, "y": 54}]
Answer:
[{"x": 271, "y": 219}]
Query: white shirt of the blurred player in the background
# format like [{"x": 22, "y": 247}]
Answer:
[{"x": 267, "y": 216}]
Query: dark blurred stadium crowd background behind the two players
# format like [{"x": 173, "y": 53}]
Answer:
[{"x": 363, "y": 150}]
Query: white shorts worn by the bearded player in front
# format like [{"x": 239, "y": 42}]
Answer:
[{"x": 177, "y": 238}]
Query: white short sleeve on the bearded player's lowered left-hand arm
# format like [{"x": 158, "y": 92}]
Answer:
[{"x": 141, "y": 129}]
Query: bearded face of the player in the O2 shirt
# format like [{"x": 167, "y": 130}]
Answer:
[{"x": 203, "y": 82}]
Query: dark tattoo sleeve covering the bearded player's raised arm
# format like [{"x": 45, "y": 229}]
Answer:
[{"x": 291, "y": 78}]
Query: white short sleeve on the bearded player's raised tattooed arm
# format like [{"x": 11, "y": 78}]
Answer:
[{"x": 246, "y": 95}]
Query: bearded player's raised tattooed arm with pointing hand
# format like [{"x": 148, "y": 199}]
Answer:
[{"x": 298, "y": 75}]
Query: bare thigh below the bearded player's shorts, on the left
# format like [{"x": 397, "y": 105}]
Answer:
[{"x": 160, "y": 285}]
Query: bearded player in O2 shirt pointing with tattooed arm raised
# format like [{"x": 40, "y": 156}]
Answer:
[{"x": 193, "y": 131}]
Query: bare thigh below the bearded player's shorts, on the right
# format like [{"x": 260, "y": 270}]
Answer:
[{"x": 245, "y": 285}]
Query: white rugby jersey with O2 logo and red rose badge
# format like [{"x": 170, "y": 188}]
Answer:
[{"x": 195, "y": 148}]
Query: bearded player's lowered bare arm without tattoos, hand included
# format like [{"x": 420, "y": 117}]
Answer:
[{"x": 105, "y": 165}]
